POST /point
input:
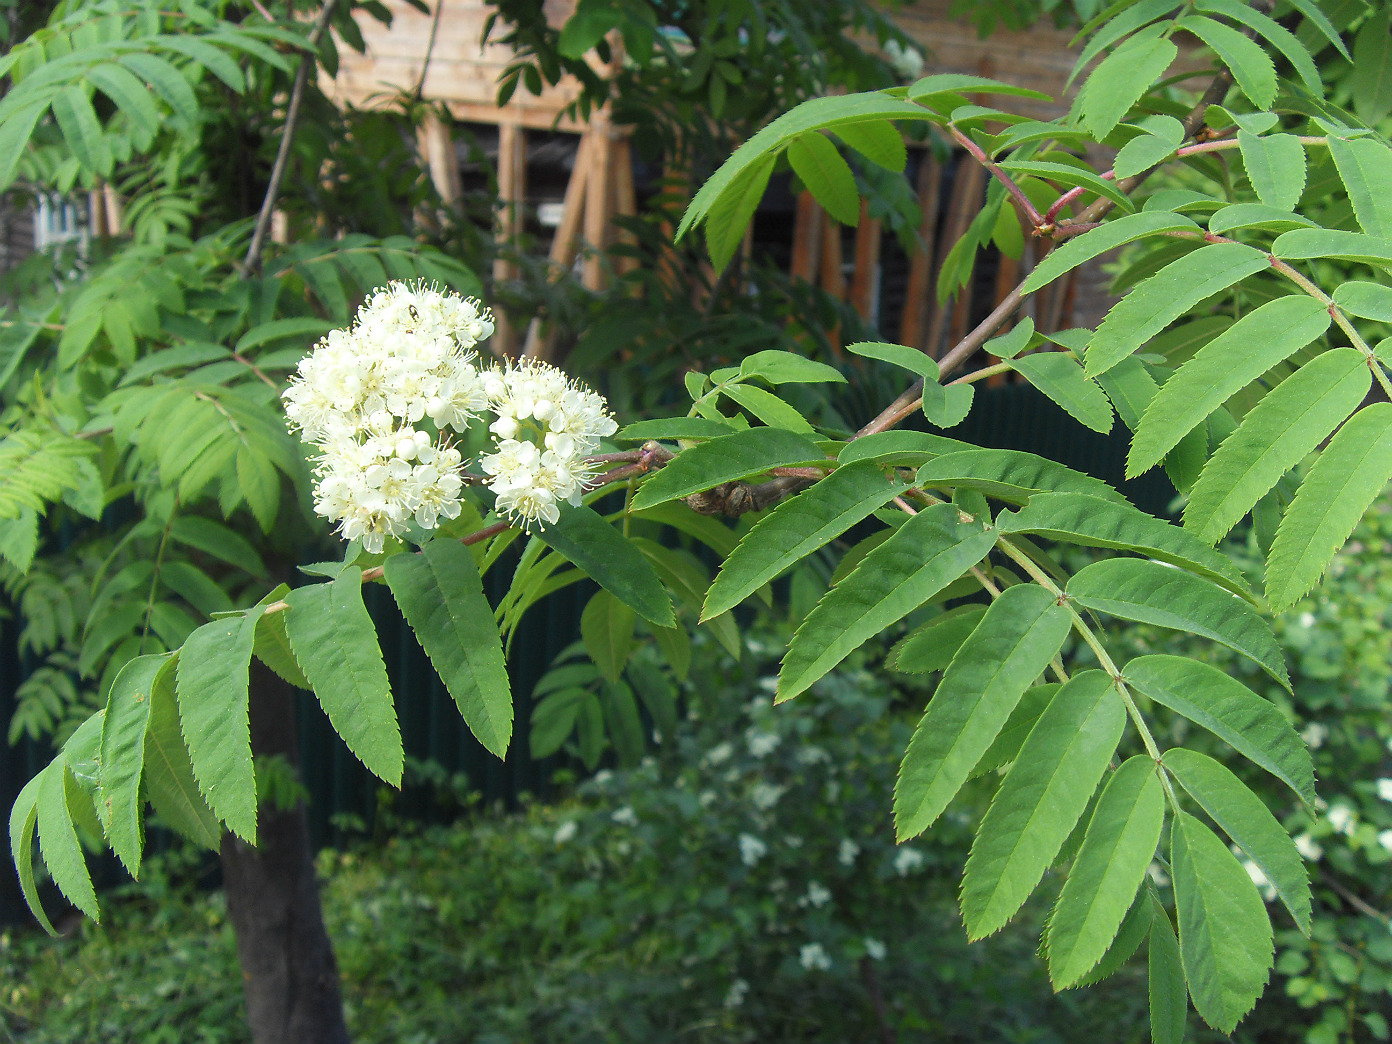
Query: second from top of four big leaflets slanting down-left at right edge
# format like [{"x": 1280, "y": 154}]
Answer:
[{"x": 1220, "y": 370}]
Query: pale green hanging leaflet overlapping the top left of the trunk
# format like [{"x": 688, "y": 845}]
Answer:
[{"x": 212, "y": 687}]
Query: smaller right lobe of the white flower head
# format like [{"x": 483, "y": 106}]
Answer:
[{"x": 548, "y": 425}]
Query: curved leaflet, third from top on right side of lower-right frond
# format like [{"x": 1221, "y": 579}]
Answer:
[{"x": 1153, "y": 594}]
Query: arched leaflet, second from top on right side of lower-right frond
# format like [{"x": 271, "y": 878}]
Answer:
[{"x": 1084, "y": 520}]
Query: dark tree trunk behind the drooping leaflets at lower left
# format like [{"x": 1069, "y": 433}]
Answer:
[{"x": 290, "y": 976}]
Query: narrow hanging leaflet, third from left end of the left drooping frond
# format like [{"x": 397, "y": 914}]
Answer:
[{"x": 123, "y": 755}]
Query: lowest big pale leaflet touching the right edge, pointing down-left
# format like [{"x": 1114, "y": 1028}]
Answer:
[{"x": 1350, "y": 475}]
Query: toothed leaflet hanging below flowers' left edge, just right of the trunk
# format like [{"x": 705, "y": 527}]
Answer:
[{"x": 336, "y": 645}]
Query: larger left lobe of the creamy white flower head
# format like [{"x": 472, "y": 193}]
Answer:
[{"x": 363, "y": 399}]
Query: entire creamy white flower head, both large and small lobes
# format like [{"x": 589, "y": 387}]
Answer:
[{"x": 381, "y": 400}]
